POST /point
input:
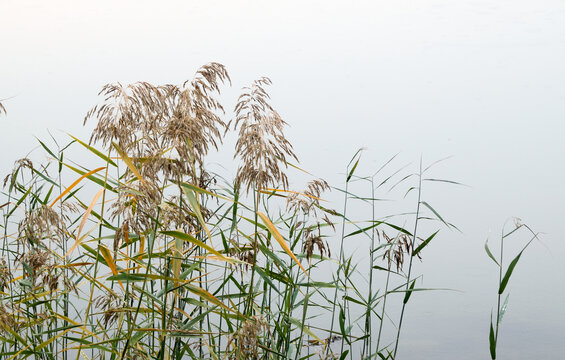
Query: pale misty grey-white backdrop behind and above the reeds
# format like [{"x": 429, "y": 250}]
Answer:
[{"x": 478, "y": 81}]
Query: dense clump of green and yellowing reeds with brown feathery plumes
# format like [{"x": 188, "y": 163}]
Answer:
[{"x": 149, "y": 255}]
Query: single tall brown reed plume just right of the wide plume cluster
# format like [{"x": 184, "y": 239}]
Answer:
[{"x": 261, "y": 145}]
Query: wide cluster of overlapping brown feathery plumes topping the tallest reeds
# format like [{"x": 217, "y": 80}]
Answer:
[{"x": 147, "y": 121}]
